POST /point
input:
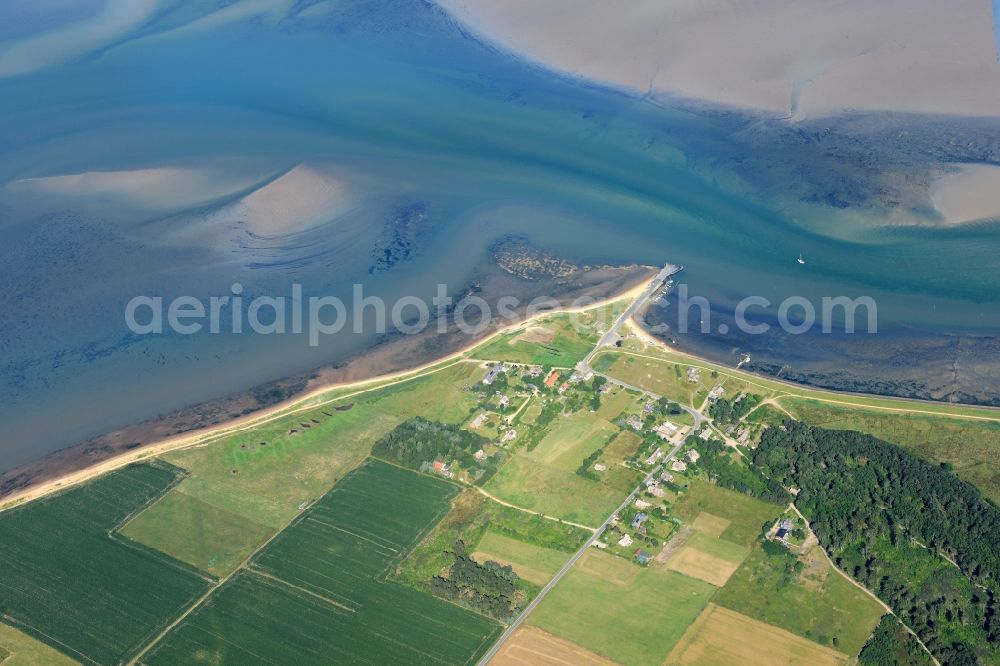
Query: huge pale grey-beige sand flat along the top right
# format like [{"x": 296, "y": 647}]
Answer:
[{"x": 801, "y": 58}]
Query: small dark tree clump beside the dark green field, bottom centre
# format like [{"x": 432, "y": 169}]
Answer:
[{"x": 488, "y": 587}]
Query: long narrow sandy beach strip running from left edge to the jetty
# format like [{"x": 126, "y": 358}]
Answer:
[{"x": 42, "y": 484}]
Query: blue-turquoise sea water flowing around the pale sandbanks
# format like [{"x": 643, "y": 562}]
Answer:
[{"x": 420, "y": 114}]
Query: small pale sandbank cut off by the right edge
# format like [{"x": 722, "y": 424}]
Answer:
[{"x": 968, "y": 194}]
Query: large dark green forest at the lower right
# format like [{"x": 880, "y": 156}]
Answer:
[{"x": 887, "y": 517}]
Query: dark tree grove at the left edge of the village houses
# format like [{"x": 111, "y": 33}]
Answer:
[{"x": 417, "y": 443}]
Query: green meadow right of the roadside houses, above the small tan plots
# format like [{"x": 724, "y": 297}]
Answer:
[{"x": 745, "y": 514}]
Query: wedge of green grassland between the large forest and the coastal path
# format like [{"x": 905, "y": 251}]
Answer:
[{"x": 971, "y": 447}]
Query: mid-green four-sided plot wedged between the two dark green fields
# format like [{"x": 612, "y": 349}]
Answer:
[{"x": 194, "y": 531}]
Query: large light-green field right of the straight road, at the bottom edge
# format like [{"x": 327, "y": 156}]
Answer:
[{"x": 635, "y": 620}]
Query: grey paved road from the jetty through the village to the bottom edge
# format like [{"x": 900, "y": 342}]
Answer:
[{"x": 607, "y": 339}]
